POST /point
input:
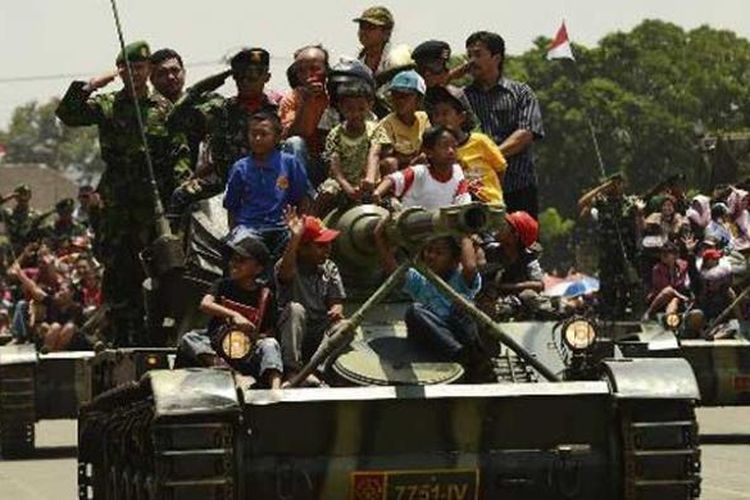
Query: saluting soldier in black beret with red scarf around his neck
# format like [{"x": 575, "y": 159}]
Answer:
[{"x": 222, "y": 122}]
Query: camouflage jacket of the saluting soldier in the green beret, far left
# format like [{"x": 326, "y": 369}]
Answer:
[{"x": 126, "y": 173}]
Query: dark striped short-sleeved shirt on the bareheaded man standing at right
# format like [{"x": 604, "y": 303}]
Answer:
[{"x": 501, "y": 110}]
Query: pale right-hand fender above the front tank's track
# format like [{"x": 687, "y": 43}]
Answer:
[{"x": 644, "y": 378}]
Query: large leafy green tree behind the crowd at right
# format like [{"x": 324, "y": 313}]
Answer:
[{"x": 643, "y": 92}]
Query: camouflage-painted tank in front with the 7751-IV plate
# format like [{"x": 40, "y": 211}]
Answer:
[{"x": 567, "y": 418}]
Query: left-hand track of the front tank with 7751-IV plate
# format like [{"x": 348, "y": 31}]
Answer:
[{"x": 126, "y": 453}]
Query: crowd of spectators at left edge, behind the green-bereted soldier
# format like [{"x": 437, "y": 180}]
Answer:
[{"x": 50, "y": 283}]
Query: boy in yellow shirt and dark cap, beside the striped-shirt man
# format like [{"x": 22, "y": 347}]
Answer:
[{"x": 483, "y": 163}]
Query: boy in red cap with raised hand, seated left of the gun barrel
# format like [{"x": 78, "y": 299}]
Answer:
[{"x": 309, "y": 289}]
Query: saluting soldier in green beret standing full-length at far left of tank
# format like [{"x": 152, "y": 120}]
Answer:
[{"x": 127, "y": 224}]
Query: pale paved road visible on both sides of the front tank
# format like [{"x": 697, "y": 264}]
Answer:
[{"x": 52, "y": 474}]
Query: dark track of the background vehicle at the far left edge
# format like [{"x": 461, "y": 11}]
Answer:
[{"x": 17, "y": 410}]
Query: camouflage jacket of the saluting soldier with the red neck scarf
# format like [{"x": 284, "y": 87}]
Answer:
[{"x": 221, "y": 121}]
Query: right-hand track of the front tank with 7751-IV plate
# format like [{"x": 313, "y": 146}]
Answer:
[{"x": 661, "y": 458}]
